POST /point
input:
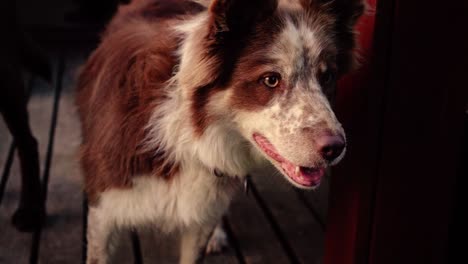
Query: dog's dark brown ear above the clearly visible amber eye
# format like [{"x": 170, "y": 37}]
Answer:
[{"x": 238, "y": 16}]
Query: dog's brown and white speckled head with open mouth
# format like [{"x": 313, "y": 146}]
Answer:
[{"x": 270, "y": 70}]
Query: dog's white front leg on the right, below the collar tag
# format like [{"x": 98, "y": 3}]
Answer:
[{"x": 193, "y": 243}]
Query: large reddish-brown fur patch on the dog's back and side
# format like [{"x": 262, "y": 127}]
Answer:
[{"x": 118, "y": 90}]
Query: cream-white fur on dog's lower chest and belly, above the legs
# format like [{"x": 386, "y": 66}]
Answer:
[{"x": 195, "y": 196}]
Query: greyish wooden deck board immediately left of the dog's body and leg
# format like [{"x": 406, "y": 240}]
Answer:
[{"x": 64, "y": 201}]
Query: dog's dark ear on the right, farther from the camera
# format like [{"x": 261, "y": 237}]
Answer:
[{"x": 346, "y": 13}]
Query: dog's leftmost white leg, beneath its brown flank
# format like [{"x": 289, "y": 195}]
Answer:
[{"x": 99, "y": 233}]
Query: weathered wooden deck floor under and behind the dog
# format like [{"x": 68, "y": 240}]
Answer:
[{"x": 273, "y": 223}]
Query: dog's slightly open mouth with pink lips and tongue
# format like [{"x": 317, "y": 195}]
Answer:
[{"x": 306, "y": 177}]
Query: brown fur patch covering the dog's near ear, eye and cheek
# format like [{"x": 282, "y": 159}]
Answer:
[{"x": 237, "y": 53}]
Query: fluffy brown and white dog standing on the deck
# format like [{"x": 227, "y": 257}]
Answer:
[{"x": 180, "y": 92}]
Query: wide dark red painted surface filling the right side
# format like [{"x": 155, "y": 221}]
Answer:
[{"x": 391, "y": 199}]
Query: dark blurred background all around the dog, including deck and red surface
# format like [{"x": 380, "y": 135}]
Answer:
[{"x": 396, "y": 198}]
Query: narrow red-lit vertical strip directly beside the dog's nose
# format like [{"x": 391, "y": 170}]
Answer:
[{"x": 351, "y": 193}]
